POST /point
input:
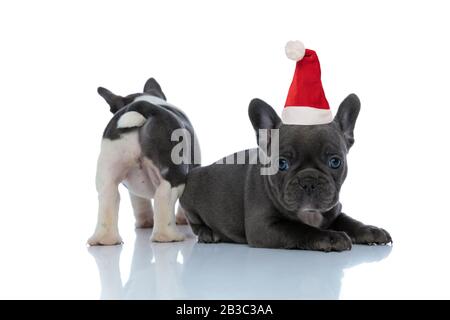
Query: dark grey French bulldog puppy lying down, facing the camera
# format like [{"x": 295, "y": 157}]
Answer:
[{"x": 295, "y": 208}]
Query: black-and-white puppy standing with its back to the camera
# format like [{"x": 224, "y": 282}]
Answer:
[{"x": 136, "y": 151}]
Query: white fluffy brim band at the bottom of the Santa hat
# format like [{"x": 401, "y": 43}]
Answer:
[{"x": 306, "y": 116}]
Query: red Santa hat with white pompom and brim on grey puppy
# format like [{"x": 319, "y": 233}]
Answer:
[{"x": 306, "y": 103}]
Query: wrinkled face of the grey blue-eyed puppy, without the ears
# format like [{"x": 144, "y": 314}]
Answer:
[{"x": 312, "y": 168}]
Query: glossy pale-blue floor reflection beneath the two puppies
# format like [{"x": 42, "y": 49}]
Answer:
[{"x": 188, "y": 270}]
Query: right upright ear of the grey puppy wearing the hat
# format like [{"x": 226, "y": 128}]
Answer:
[{"x": 346, "y": 117}]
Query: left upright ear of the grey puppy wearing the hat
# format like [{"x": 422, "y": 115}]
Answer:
[{"x": 262, "y": 116}]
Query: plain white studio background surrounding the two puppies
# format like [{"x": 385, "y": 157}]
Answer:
[{"x": 211, "y": 58}]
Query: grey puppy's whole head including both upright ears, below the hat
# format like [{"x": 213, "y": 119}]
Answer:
[{"x": 311, "y": 159}]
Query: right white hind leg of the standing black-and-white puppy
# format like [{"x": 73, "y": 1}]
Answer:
[{"x": 165, "y": 229}]
